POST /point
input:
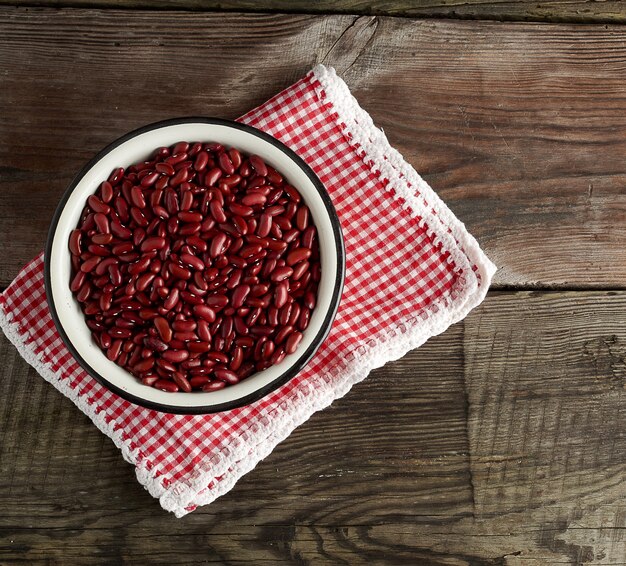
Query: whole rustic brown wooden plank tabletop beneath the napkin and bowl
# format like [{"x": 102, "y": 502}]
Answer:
[{"x": 502, "y": 441}]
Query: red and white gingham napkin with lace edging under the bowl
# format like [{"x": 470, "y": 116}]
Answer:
[{"x": 412, "y": 270}]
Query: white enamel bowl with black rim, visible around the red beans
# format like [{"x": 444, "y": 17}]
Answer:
[{"x": 138, "y": 146}]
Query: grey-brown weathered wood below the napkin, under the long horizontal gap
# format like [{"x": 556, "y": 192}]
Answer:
[{"x": 388, "y": 475}]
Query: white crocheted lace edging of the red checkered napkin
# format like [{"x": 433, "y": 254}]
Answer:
[{"x": 247, "y": 450}]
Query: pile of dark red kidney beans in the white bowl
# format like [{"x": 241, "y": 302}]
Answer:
[{"x": 197, "y": 268}]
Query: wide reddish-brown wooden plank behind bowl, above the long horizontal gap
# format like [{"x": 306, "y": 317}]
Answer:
[{"x": 520, "y": 127}]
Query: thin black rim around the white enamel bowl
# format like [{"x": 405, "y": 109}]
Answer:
[{"x": 304, "y": 357}]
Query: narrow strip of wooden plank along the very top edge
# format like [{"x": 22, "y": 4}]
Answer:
[{"x": 512, "y": 10}]
